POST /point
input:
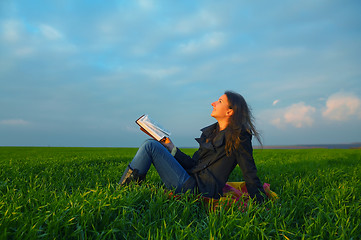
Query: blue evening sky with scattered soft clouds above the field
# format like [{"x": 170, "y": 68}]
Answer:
[{"x": 78, "y": 73}]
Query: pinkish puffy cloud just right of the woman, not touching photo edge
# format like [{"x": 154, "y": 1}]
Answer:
[{"x": 298, "y": 115}]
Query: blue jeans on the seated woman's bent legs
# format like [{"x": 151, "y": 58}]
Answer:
[{"x": 173, "y": 175}]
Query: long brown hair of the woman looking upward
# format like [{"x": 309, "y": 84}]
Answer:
[{"x": 241, "y": 120}]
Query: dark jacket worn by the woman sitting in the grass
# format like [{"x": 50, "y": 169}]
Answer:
[{"x": 211, "y": 167}]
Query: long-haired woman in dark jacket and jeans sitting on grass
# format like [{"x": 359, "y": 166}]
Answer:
[{"x": 222, "y": 146}]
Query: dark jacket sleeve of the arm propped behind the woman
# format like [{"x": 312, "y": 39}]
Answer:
[{"x": 248, "y": 167}]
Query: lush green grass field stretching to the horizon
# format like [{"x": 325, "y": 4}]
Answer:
[{"x": 71, "y": 193}]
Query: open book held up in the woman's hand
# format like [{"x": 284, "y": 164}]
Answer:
[{"x": 152, "y": 128}]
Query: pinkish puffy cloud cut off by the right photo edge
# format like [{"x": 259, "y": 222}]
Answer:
[{"x": 342, "y": 106}]
